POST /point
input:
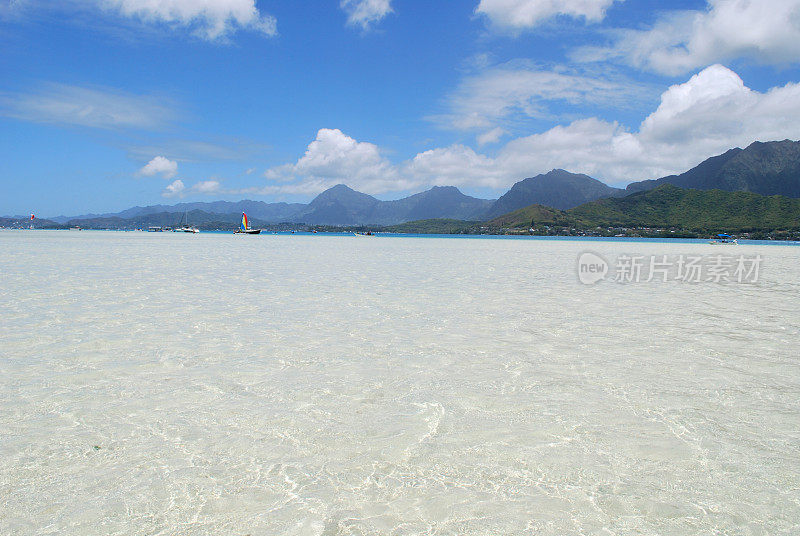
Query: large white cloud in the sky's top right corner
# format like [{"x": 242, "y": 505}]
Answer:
[{"x": 765, "y": 31}]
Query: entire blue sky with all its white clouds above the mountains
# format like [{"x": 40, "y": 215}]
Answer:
[{"x": 106, "y": 104}]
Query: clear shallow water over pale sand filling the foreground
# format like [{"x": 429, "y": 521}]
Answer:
[{"x": 318, "y": 385}]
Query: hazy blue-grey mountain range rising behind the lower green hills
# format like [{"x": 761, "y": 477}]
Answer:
[{"x": 766, "y": 168}]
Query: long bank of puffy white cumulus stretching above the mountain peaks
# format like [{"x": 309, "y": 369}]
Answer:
[{"x": 708, "y": 114}]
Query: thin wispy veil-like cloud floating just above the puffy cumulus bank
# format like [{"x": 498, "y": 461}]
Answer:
[{"x": 520, "y": 90}]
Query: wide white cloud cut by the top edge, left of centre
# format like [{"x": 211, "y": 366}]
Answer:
[{"x": 210, "y": 19}]
